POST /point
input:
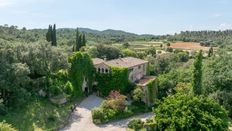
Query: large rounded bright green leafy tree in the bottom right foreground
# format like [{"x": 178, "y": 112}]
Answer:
[{"x": 188, "y": 112}]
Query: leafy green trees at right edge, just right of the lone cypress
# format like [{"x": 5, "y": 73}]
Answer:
[{"x": 217, "y": 79}]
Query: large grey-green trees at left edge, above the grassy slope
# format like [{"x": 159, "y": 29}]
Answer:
[{"x": 25, "y": 69}]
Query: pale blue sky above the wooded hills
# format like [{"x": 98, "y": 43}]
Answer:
[{"x": 156, "y": 17}]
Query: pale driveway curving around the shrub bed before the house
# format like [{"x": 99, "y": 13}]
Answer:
[{"x": 81, "y": 119}]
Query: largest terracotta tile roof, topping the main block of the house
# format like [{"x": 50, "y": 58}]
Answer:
[{"x": 126, "y": 62}]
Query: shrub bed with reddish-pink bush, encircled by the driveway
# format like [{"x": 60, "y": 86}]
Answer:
[{"x": 115, "y": 108}]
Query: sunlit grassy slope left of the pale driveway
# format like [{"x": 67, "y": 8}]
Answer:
[{"x": 38, "y": 114}]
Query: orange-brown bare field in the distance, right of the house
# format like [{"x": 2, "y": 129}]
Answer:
[{"x": 188, "y": 46}]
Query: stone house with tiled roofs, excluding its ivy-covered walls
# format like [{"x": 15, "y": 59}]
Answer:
[{"x": 137, "y": 72}]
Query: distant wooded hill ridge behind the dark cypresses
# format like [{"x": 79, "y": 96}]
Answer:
[{"x": 67, "y": 35}]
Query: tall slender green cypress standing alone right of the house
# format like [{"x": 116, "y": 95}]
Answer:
[{"x": 197, "y": 74}]
